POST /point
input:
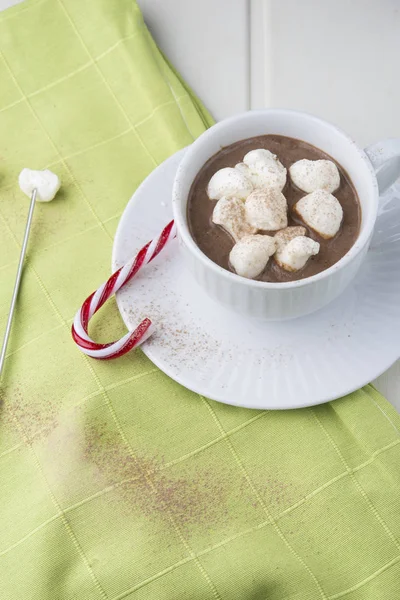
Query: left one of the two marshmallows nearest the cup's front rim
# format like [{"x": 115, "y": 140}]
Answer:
[{"x": 250, "y": 255}]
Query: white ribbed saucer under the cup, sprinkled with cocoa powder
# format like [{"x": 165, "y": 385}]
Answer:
[{"x": 250, "y": 363}]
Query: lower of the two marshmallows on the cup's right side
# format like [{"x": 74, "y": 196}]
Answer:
[{"x": 321, "y": 211}]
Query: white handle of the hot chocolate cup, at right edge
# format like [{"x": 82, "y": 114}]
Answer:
[{"x": 385, "y": 158}]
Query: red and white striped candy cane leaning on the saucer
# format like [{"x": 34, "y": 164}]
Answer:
[{"x": 96, "y": 300}]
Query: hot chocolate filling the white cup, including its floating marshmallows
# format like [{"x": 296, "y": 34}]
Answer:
[{"x": 282, "y": 188}]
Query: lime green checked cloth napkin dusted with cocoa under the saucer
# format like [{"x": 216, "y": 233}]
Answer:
[{"x": 115, "y": 482}]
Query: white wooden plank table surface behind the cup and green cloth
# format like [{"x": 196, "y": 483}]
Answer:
[{"x": 286, "y": 53}]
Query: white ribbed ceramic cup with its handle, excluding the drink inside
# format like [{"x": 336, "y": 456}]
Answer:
[{"x": 378, "y": 164}]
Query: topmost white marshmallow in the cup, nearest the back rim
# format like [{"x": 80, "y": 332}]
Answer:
[{"x": 263, "y": 169}]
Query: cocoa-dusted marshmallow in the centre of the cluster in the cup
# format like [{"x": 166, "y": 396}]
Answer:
[{"x": 266, "y": 209}]
